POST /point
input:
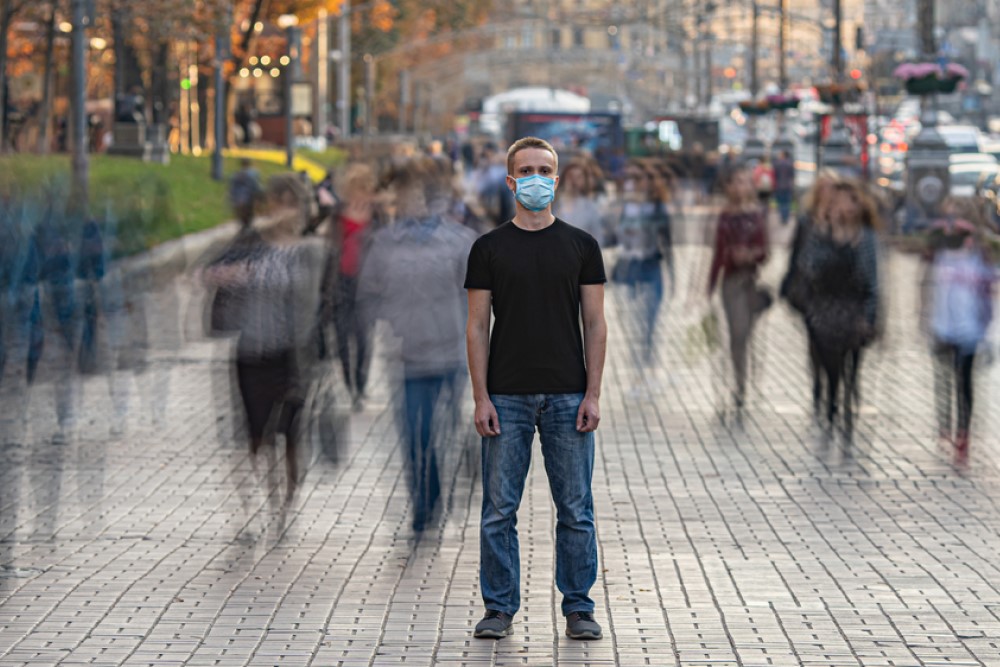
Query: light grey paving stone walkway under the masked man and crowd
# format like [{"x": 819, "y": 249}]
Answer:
[{"x": 720, "y": 543}]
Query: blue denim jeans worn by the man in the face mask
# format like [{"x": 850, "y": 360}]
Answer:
[{"x": 569, "y": 464}]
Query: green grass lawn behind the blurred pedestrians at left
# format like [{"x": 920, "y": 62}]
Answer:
[{"x": 158, "y": 202}]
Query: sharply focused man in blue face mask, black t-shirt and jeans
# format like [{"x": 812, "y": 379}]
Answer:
[{"x": 536, "y": 369}]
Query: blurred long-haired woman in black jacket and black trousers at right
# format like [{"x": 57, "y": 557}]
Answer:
[{"x": 838, "y": 261}]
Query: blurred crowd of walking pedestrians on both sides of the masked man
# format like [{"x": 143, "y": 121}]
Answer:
[{"x": 319, "y": 278}]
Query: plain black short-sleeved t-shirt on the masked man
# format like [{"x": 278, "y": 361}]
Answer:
[{"x": 536, "y": 346}]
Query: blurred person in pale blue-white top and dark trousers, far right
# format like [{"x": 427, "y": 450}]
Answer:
[{"x": 960, "y": 277}]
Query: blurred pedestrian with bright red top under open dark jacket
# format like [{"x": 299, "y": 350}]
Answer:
[{"x": 351, "y": 223}]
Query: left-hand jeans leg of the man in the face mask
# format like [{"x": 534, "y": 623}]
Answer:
[{"x": 506, "y": 459}]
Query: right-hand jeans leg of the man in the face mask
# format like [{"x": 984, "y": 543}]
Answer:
[{"x": 569, "y": 464}]
